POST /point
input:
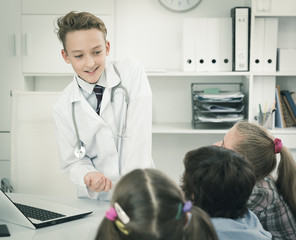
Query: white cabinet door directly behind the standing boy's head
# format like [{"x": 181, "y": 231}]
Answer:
[{"x": 41, "y": 47}]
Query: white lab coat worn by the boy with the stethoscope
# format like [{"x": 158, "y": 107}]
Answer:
[{"x": 98, "y": 133}]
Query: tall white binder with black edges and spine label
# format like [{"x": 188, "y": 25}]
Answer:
[{"x": 241, "y": 38}]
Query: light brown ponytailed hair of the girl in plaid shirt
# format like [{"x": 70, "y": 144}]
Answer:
[{"x": 256, "y": 144}]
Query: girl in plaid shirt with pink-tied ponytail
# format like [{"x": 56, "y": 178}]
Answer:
[{"x": 273, "y": 198}]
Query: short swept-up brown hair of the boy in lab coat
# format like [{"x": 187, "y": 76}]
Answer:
[{"x": 78, "y": 21}]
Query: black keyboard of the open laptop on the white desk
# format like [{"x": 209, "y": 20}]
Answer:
[{"x": 37, "y": 213}]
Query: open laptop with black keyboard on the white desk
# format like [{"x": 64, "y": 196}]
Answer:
[{"x": 36, "y": 213}]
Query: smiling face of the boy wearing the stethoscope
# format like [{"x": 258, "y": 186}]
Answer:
[{"x": 86, "y": 51}]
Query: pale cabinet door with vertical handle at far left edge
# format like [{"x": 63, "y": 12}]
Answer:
[{"x": 10, "y": 61}]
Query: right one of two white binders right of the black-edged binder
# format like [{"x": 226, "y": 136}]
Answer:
[{"x": 270, "y": 44}]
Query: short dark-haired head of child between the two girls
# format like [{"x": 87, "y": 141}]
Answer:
[{"x": 218, "y": 180}]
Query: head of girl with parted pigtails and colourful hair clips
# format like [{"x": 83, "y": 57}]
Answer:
[{"x": 156, "y": 210}]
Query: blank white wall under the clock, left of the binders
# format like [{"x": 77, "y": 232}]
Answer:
[{"x": 144, "y": 29}]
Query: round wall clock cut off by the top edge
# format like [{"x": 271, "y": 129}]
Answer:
[{"x": 180, "y": 5}]
